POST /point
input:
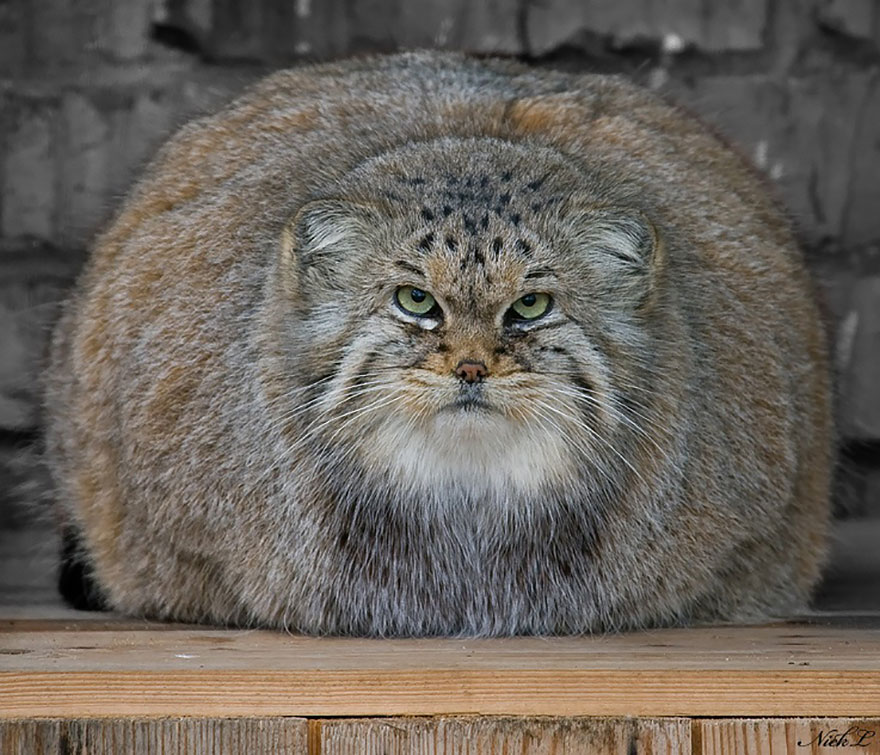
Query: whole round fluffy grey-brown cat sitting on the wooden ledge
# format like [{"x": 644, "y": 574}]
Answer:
[{"x": 249, "y": 421}]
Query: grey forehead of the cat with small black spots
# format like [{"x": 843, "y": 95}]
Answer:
[{"x": 470, "y": 211}]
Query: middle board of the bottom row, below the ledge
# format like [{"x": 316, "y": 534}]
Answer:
[{"x": 527, "y": 736}]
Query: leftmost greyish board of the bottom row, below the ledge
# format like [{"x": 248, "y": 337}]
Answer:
[{"x": 176, "y": 736}]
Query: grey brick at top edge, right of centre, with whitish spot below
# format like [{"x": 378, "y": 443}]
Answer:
[{"x": 737, "y": 25}]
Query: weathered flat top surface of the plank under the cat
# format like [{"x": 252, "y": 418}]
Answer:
[{"x": 833, "y": 643}]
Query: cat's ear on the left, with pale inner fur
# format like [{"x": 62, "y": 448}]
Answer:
[{"x": 325, "y": 239}]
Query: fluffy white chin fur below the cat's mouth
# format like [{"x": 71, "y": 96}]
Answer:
[{"x": 473, "y": 448}]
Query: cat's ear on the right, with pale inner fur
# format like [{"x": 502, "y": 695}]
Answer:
[{"x": 619, "y": 246}]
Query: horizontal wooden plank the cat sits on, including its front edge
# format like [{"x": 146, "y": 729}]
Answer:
[{"x": 74, "y": 669}]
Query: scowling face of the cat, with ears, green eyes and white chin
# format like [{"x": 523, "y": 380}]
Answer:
[{"x": 467, "y": 317}]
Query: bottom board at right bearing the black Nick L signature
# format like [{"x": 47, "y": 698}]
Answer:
[{"x": 787, "y": 737}]
